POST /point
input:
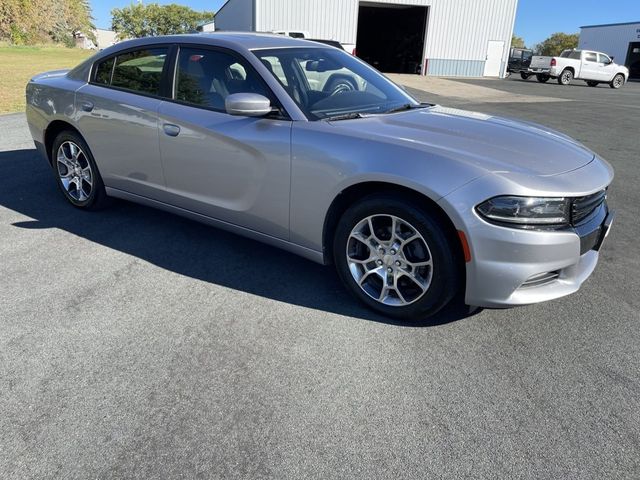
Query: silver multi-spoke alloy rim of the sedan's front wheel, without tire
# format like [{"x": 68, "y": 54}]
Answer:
[{"x": 389, "y": 260}]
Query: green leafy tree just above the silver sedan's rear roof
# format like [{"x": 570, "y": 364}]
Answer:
[{"x": 139, "y": 20}]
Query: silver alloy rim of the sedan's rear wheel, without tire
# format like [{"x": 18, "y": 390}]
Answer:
[{"x": 74, "y": 171}]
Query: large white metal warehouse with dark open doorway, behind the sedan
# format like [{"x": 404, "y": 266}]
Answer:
[{"x": 437, "y": 37}]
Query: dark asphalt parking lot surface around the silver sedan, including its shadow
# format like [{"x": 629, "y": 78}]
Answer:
[{"x": 137, "y": 344}]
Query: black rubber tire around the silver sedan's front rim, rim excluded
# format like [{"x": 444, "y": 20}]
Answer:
[{"x": 445, "y": 275}]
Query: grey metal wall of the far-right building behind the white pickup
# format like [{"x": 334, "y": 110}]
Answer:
[{"x": 613, "y": 39}]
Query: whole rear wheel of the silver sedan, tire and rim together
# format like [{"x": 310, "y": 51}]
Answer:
[{"x": 76, "y": 172}]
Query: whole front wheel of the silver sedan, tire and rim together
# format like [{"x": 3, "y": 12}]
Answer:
[{"x": 395, "y": 258}]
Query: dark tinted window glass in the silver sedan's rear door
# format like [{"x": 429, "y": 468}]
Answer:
[{"x": 140, "y": 70}]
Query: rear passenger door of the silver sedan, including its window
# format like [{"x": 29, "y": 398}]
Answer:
[{"x": 117, "y": 114}]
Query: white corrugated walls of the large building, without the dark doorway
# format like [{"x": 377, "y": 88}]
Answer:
[{"x": 458, "y": 31}]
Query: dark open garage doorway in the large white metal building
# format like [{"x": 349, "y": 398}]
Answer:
[{"x": 391, "y": 37}]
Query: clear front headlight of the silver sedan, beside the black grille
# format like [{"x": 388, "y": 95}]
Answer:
[{"x": 526, "y": 212}]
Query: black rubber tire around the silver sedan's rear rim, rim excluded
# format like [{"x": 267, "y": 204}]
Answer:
[{"x": 97, "y": 197}]
